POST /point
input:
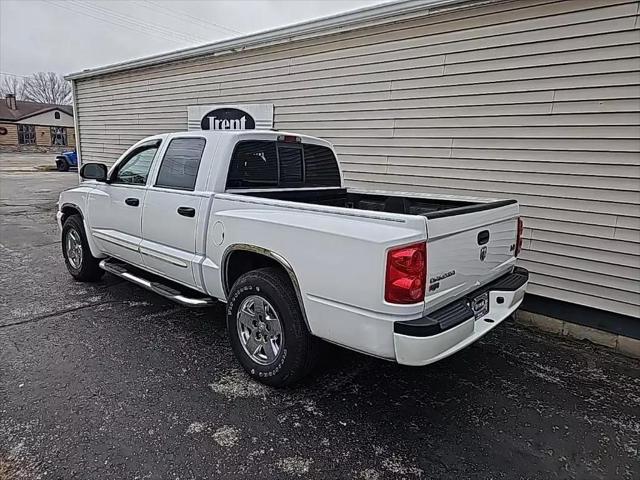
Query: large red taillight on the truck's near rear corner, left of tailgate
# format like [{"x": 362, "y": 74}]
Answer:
[{"x": 406, "y": 274}]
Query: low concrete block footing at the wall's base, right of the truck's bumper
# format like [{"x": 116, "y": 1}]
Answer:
[{"x": 624, "y": 345}]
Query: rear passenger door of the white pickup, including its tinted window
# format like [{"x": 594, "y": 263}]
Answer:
[{"x": 172, "y": 212}]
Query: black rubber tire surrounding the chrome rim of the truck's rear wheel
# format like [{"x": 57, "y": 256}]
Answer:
[{"x": 299, "y": 351}]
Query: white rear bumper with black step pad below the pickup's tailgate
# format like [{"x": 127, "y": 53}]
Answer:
[{"x": 453, "y": 327}]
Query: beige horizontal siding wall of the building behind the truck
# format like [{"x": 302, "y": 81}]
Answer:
[{"x": 535, "y": 100}]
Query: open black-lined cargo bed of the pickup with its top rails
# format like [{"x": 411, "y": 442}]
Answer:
[{"x": 416, "y": 204}]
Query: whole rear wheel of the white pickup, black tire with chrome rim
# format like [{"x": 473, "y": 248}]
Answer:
[{"x": 268, "y": 333}]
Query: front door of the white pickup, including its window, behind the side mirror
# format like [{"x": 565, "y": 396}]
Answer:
[{"x": 115, "y": 208}]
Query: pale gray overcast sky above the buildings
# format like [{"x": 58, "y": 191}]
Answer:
[{"x": 69, "y": 35}]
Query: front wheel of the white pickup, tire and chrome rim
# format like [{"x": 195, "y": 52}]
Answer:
[{"x": 77, "y": 256}]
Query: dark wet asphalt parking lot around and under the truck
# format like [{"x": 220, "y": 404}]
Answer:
[{"x": 108, "y": 380}]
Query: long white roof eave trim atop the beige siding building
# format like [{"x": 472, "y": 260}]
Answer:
[{"x": 368, "y": 16}]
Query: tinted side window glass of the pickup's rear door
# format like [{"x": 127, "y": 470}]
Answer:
[{"x": 180, "y": 164}]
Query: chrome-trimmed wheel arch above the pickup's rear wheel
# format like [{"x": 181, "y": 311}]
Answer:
[{"x": 242, "y": 258}]
